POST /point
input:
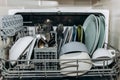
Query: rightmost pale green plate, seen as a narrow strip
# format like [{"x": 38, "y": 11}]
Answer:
[{"x": 102, "y": 32}]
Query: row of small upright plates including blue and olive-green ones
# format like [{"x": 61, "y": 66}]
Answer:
[{"x": 75, "y": 33}]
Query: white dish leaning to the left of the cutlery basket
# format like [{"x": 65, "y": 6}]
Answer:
[{"x": 19, "y": 47}]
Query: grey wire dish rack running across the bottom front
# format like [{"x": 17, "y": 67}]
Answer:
[{"x": 24, "y": 70}]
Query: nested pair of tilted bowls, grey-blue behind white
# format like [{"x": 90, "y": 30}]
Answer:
[{"x": 69, "y": 54}]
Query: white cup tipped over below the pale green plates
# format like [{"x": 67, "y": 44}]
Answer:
[{"x": 103, "y": 53}]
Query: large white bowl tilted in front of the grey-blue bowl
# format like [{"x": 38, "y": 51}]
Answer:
[{"x": 67, "y": 66}]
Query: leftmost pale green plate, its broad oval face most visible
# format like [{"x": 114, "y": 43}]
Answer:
[{"x": 90, "y": 29}]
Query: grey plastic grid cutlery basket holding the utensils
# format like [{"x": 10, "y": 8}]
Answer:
[{"x": 43, "y": 55}]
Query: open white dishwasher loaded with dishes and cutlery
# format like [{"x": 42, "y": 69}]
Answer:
[{"x": 46, "y": 56}]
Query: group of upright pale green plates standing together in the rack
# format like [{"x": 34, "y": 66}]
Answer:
[{"x": 94, "y": 28}]
